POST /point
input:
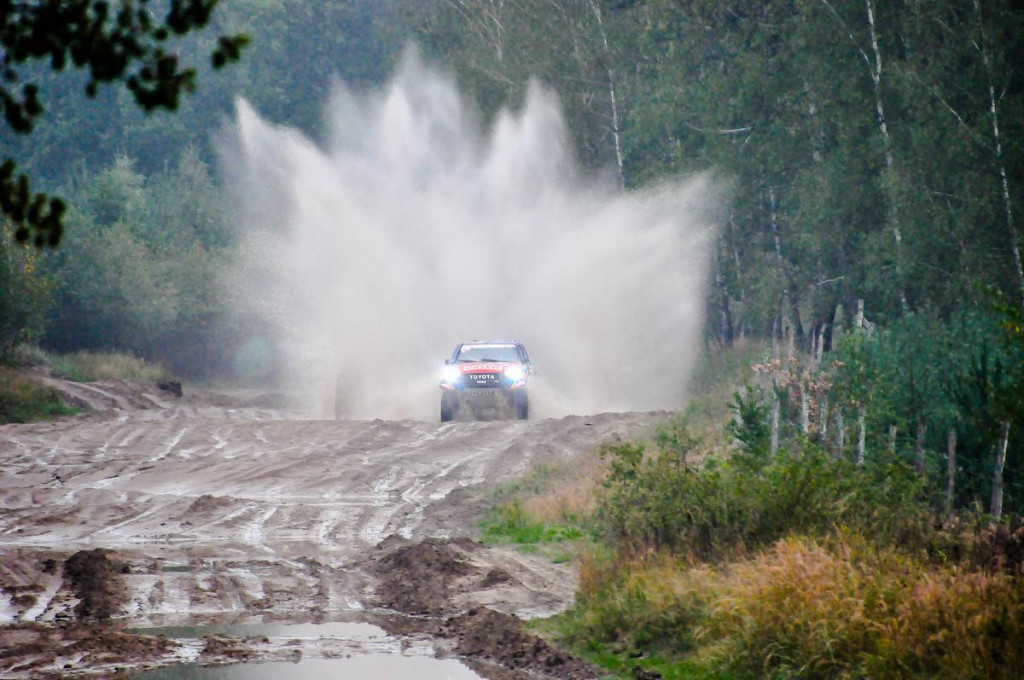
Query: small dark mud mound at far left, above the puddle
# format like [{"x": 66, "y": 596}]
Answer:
[{"x": 98, "y": 582}]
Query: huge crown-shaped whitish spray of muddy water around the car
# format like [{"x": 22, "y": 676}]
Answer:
[{"x": 370, "y": 257}]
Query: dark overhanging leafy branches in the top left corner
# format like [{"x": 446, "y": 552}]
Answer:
[{"x": 114, "y": 42}]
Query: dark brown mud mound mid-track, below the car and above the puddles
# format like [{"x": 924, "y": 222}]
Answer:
[{"x": 420, "y": 579}]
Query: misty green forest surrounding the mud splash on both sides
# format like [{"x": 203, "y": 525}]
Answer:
[{"x": 875, "y": 151}]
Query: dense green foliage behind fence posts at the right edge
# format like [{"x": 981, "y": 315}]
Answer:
[{"x": 919, "y": 378}]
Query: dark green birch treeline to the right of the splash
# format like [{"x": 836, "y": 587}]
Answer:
[{"x": 875, "y": 149}]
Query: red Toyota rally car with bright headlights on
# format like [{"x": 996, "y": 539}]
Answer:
[{"x": 486, "y": 376}]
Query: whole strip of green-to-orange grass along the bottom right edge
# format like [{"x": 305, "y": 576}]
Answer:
[{"x": 805, "y": 610}]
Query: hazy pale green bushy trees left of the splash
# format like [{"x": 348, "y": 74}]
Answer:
[{"x": 140, "y": 270}]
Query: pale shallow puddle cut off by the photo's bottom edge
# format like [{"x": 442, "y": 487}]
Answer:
[{"x": 370, "y": 667}]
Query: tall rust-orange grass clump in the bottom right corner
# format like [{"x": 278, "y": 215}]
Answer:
[{"x": 806, "y": 611}]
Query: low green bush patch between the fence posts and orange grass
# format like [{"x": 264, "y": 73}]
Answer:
[{"x": 728, "y": 507}]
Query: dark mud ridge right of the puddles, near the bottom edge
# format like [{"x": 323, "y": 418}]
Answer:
[{"x": 489, "y": 635}]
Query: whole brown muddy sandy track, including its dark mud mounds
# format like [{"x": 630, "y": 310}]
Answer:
[{"x": 154, "y": 509}]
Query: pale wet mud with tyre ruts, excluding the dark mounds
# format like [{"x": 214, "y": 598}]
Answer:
[{"x": 226, "y": 514}]
